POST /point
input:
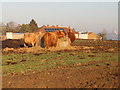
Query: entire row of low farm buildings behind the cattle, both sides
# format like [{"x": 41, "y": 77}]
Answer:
[{"x": 48, "y": 28}]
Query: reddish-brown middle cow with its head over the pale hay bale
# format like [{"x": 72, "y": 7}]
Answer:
[{"x": 51, "y": 38}]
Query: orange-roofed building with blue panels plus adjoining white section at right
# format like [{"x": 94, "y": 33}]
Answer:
[{"x": 79, "y": 35}]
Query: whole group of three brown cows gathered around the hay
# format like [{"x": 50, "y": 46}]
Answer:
[{"x": 48, "y": 39}]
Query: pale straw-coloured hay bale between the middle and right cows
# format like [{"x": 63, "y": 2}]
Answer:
[{"x": 63, "y": 42}]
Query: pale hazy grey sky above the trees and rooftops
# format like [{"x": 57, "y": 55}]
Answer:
[{"x": 83, "y": 16}]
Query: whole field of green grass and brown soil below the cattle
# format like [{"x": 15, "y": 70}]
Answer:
[{"x": 91, "y": 64}]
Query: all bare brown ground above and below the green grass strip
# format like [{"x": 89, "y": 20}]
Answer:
[{"x": 93, "y": 75}]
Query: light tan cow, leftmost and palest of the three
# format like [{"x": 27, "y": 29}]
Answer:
[{"x": 31, "y": 38}]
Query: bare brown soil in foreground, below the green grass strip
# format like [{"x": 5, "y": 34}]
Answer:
[{"x": 66, "y": 77}]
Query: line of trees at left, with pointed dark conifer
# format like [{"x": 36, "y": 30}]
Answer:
[{"x": 16, "y": 28}]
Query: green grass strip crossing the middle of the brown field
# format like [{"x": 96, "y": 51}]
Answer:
[{"x": 50, "y": 60}]
